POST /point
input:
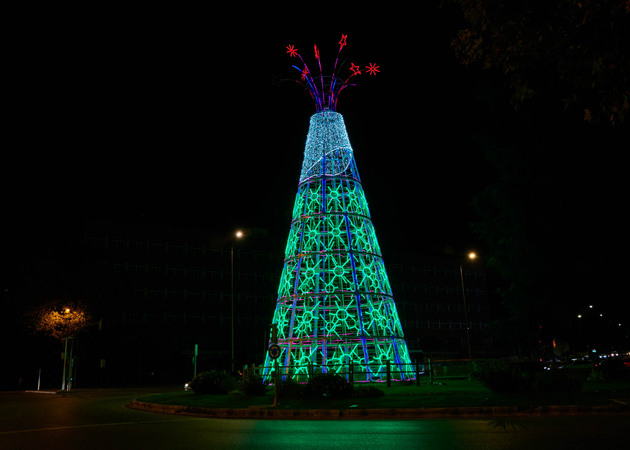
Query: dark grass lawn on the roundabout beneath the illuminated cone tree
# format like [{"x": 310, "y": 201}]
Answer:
[{"x": 447, "y": 393}]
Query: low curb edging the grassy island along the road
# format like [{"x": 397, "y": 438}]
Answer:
[{"x": 382, "y": 413}]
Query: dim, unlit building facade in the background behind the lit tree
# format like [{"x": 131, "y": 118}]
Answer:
[{"x": 165, "y": 290}]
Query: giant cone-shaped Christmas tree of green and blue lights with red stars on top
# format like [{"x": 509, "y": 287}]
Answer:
[{"x": 335, "y": 307}]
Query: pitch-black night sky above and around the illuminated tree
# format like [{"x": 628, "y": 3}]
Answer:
[{"x": 192, "y": 118}]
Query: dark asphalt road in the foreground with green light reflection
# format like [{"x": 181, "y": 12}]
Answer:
[{"x": 97, "y": 419}]
